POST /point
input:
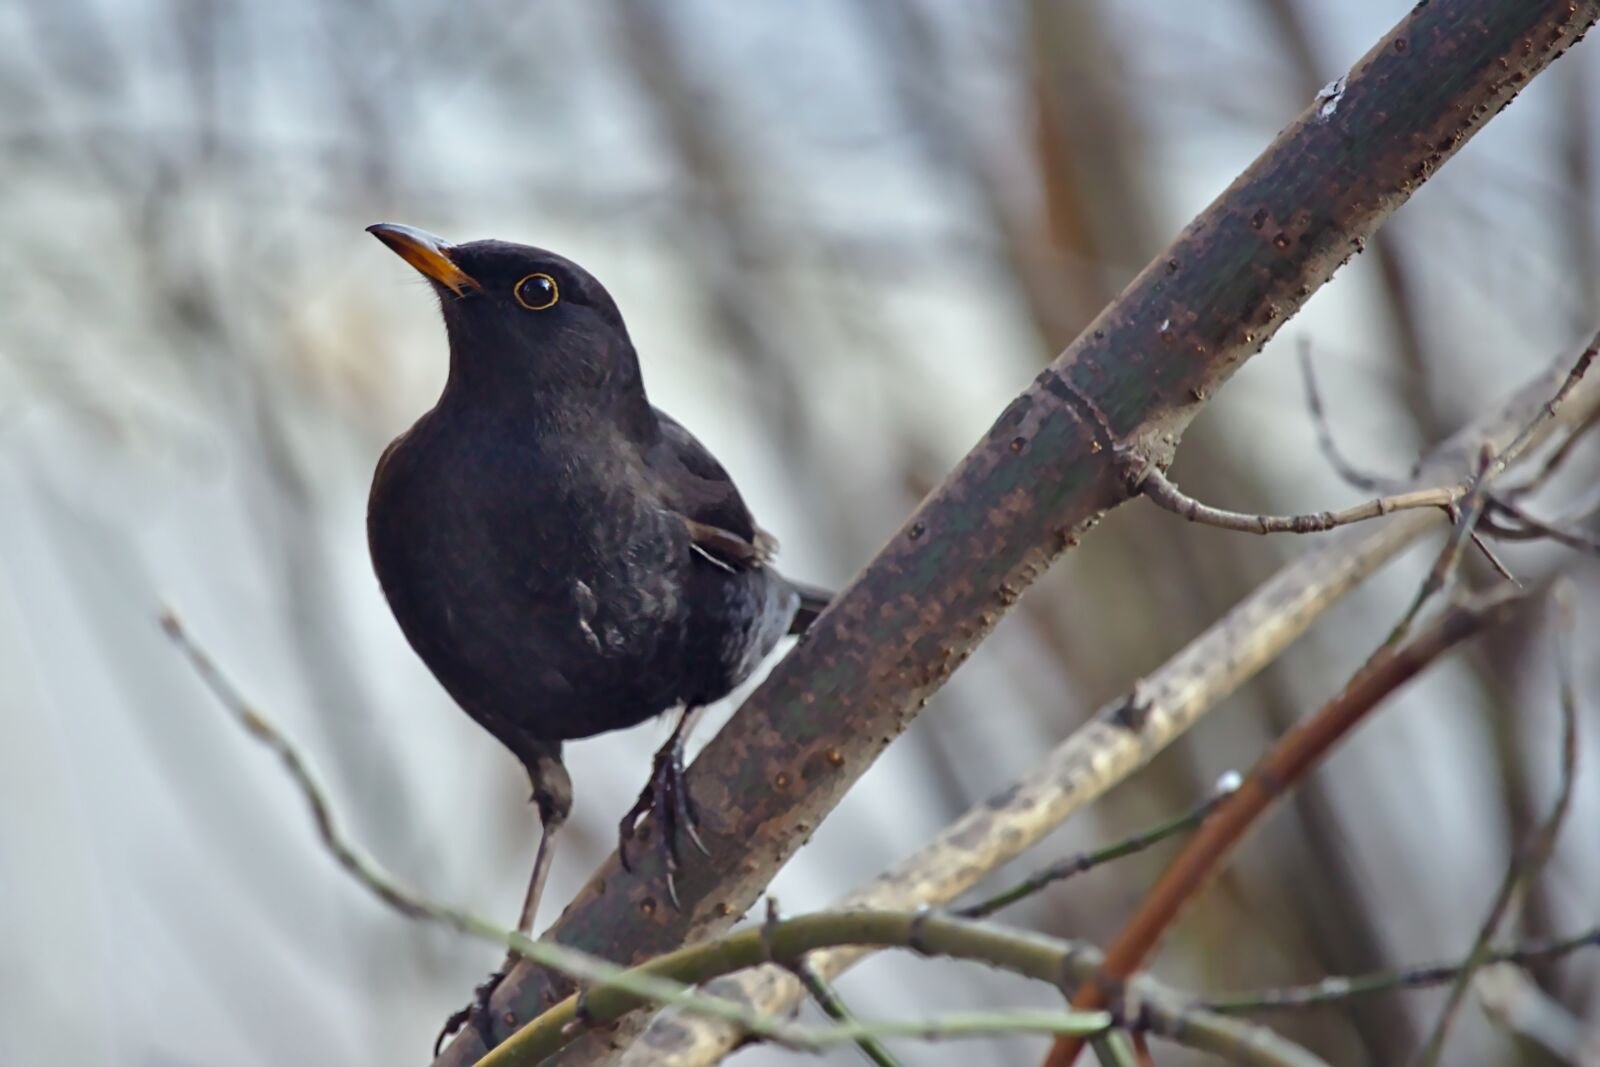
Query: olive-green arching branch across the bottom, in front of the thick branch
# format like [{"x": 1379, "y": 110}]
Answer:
[{"x": 1145, "y": 1005}]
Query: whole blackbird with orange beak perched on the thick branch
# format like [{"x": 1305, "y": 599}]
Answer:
[{"x": 564, "y": 557}]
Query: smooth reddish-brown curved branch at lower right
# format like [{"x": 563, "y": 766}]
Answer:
[{"x": 1286, "y": 764}]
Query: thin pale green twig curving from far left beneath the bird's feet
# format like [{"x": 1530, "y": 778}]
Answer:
[{"x": 655, "y": 986}]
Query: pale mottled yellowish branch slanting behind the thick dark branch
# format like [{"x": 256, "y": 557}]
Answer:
[{"x": 1132, "y": 730}]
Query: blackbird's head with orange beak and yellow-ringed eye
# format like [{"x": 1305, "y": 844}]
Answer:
[{"x": 524, "y": 318}]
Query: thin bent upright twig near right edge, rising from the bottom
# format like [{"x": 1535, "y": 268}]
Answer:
[{"x": 1530, "y": 858}]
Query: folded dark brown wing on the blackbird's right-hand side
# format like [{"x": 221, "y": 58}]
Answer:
[{"x": 697, "y": 489}]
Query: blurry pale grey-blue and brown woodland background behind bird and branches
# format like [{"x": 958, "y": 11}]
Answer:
[{"x": 844, "y": 236}]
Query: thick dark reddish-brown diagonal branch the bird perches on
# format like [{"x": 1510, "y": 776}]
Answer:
[{"x": 1046, "y": 471}]
